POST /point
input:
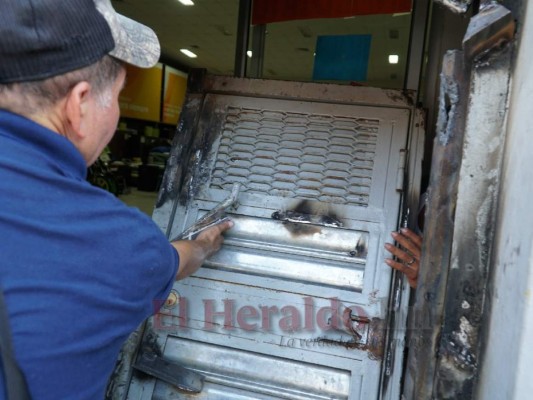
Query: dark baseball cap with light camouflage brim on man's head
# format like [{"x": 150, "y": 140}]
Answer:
[{"x": 40, "y": 39}]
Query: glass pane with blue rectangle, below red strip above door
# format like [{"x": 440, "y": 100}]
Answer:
[{"x": 352, "y": 50}]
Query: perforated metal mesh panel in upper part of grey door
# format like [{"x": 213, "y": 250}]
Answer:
[{"x": 300, "y": 155}]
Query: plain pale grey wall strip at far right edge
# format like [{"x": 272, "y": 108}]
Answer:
[{"x": 508, "y": 361}]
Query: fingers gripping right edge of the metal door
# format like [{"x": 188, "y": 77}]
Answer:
[{"x": 408, "y": 254}]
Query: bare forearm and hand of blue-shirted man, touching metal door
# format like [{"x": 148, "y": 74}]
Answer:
[{"x": 193, "y": 253}]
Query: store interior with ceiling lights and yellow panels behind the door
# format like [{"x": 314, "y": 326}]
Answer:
[{"x": 368, "y": 46}]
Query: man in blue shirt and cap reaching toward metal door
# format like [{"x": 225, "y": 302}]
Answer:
[{"x": 79, "y": 270}]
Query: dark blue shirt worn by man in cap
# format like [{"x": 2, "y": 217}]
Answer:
[{"x": 79, "y": 269}]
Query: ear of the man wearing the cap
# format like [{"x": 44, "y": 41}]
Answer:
[{"x": 77, "y": 107}]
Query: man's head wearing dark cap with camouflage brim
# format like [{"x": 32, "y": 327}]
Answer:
[{"x": 62, "y": 65}]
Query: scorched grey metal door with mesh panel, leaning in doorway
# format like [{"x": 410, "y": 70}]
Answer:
[{"x": 294, "y": 306}]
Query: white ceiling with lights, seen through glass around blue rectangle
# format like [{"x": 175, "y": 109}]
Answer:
[{"x": 209, "y": 29}]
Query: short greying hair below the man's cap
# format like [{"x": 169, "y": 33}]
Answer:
[{"x": 27, "y": 98}]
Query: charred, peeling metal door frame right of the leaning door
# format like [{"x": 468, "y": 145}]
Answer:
[{"x": 450, "y": 308}]
